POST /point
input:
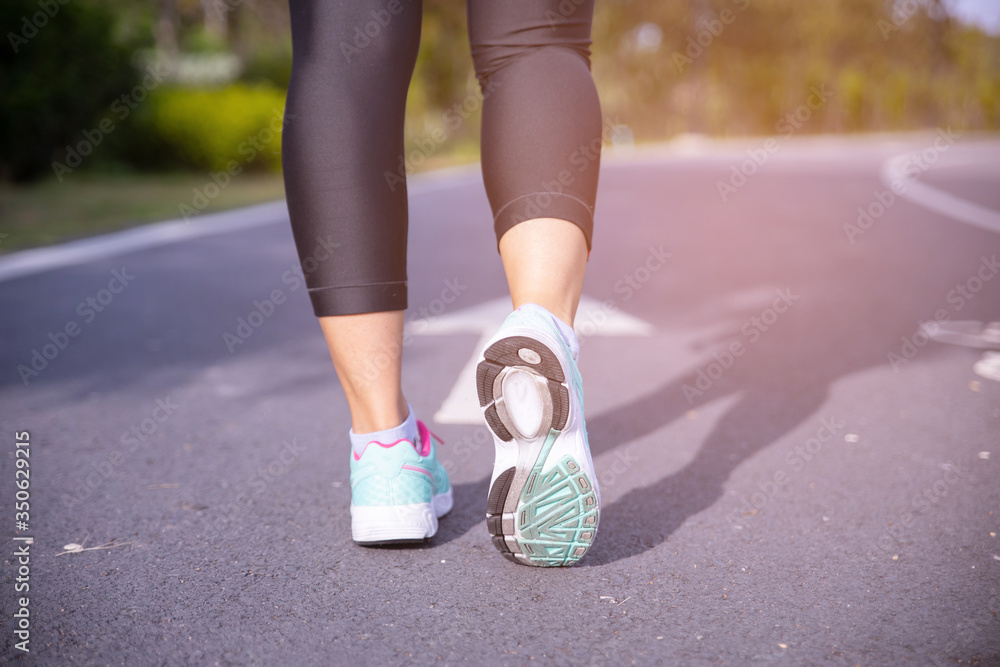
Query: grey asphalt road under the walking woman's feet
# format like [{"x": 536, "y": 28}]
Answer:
[{"x": 790, "y": 473}]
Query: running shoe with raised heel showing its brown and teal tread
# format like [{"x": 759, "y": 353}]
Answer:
[{"x": 544, "y": 504}]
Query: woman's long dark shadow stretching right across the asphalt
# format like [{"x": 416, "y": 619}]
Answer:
[{"x": 854, "y": 309}]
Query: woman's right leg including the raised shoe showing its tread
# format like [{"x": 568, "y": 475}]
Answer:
[{"x": 541, "y": 144}]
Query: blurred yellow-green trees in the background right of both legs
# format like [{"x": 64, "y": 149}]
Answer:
[{"x": 741, "y": 66}]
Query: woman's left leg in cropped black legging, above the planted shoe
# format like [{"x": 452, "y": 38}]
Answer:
[{"x": 352, "y": 63}]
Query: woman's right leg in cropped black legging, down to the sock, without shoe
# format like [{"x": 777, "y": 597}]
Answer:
[{"x": 541, "y": 142}]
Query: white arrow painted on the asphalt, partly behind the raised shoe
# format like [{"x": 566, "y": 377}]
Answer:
[{"x": 593, "y": 318}]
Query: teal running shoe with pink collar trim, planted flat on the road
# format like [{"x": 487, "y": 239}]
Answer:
[{"x": 398, "y": 491}]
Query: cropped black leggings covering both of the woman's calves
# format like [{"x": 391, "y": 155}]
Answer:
[{"x": 342, "y": 145}]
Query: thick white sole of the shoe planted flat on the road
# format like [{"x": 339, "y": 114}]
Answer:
[{"x": 398, "y": 524}]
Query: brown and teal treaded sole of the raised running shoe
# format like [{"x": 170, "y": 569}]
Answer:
[{"x": 549, "y": 518}]
